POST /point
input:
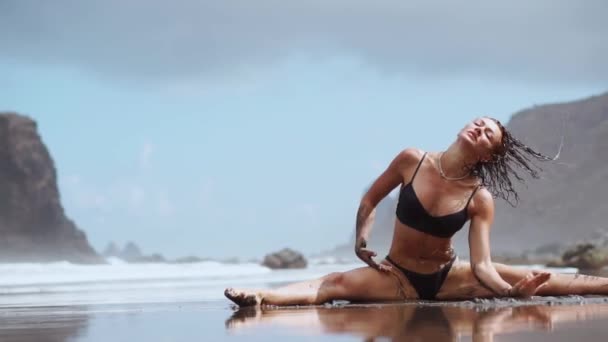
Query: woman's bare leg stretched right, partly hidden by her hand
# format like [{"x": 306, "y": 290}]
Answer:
[{"x": 462, "y": 284}]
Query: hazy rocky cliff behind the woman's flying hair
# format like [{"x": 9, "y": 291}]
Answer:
[{"x": 566, "y": 205}]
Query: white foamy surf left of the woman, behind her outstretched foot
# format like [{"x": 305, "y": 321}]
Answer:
[{"x": 63, "y": 283}]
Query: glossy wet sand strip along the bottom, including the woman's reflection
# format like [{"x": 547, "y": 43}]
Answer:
[{"x": 539, "y": 319}]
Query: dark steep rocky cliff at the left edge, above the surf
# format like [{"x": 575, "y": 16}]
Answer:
[{"x": 33, "y": 225}]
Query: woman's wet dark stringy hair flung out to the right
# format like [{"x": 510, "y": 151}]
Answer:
[{"x": 509, "y": 159}]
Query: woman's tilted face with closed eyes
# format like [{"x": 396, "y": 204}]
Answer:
[{"x": 483, "y": 135}]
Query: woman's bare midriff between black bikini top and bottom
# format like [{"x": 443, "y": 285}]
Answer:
[{"x": 419, "y": 252}]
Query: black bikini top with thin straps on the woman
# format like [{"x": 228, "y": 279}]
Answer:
[{"x": 411, "y": 213}]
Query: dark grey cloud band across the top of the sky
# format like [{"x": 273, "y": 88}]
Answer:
[{"x": 556, "y": 40}]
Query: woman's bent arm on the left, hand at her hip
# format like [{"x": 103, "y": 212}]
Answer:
[{"x": 388, "y": 180}]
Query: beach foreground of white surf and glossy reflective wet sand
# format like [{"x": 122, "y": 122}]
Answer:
[{"x": 165, "y": 302}]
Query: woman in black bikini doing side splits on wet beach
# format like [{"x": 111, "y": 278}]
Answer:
[{"x": 441, "y": 192}]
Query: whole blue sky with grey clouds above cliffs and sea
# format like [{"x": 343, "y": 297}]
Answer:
[{"x": 238, "y": 127}]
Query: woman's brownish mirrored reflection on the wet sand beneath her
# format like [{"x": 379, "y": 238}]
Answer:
[{"x": 413, "y": 322}]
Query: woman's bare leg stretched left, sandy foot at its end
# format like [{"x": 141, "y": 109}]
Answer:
[{"x": 361, "y": 284}]
